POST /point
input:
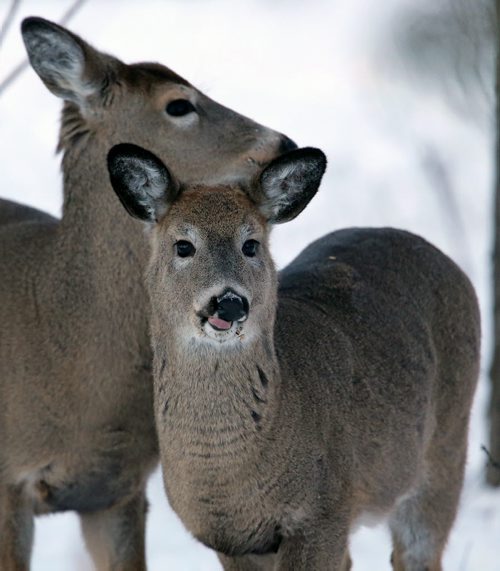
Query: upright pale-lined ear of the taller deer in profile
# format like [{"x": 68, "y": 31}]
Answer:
[{"x": 69, "y": 67}]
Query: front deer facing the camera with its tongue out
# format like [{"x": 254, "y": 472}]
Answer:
[{"x": 292, "y": 407}]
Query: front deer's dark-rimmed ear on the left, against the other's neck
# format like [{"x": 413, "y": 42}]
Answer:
[{"x": 142, "y": 182}]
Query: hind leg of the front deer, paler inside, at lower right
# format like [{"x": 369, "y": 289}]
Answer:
[{"x": 421, "y": 523}]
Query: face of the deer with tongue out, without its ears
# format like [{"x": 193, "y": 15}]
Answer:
[{"x": 212, "y": 271}]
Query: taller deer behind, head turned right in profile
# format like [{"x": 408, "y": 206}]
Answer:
[{"x": 77, "y": 426}]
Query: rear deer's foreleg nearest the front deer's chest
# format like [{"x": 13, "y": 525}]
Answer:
[{"x": 115, "y": 537}]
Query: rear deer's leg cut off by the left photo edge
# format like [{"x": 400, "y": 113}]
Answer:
[{"x": 16, "y": 530}]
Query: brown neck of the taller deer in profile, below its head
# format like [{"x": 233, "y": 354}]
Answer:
[{"x": 94, "y": 274}]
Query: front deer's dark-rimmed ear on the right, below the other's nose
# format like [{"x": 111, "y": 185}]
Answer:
[{"x": 289, "y": 182}]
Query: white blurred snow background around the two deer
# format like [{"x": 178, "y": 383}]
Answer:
[{"x": 309, "y": 69}]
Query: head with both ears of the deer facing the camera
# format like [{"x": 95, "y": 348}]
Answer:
[{"x": 211, "y": 275}]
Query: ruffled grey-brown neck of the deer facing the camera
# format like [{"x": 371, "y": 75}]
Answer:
[{"x": 214, "y": 404}]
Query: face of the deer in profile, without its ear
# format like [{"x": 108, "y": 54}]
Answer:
[{"x": 200, "y": 139}]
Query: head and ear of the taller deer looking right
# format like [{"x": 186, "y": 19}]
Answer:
[{"x": 149, "y": 105}]
